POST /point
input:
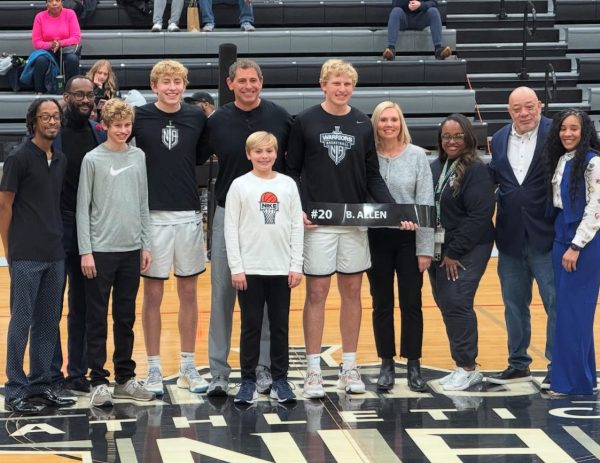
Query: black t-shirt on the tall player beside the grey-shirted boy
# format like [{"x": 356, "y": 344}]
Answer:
[{"x": 172, "y": 143}]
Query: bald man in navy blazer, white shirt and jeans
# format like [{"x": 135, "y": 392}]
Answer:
[{"x": 524, "y": 229}]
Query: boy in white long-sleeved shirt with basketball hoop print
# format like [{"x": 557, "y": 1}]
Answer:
[{"x": 264, "y": 239}]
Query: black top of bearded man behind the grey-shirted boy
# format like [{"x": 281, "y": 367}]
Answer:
[{"x": 76, "y": 142}]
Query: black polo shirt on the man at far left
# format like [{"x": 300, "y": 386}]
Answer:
[{"x": 35, "y": 231}]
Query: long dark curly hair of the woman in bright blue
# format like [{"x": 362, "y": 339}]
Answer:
[{"x": 554, "y": 149}]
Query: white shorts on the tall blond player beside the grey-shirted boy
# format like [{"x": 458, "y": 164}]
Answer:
[{"x": 177, "y": 246}]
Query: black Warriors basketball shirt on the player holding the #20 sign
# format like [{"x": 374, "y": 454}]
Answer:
[{"x": 333, "y": 158}]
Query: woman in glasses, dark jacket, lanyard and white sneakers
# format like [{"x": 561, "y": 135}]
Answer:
[{"x": 464, "y": 235}]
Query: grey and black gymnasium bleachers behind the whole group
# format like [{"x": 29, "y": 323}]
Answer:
[{"x": 293, "y": 38}]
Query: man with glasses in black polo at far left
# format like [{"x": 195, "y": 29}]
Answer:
[{"x": 31, "y": 231}]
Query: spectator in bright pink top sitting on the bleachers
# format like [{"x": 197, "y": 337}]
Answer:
[{"x": 56, "y": 30}]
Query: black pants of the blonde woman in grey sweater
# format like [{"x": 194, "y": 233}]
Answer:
[{"x": 393, "y": 254}]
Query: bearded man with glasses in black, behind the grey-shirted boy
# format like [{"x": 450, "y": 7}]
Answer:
[{"x": 77, "y": 136}]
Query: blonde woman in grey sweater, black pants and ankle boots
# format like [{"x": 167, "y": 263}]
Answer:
[{"x": 397, "y": 253}]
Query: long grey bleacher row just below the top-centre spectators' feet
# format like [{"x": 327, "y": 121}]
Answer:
[{"x": 280, "y": 42}]
